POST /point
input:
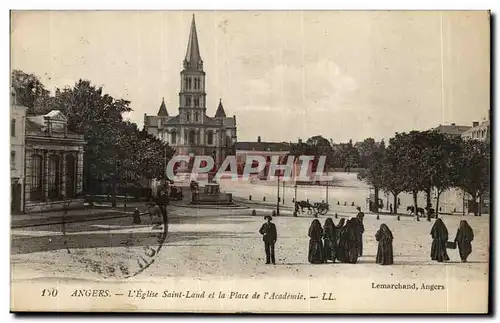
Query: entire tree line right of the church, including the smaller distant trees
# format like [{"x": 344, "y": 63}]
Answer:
[{"x": 418, "y": 161}]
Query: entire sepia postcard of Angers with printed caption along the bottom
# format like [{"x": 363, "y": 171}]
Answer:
[{"x": 250, "y": 161}]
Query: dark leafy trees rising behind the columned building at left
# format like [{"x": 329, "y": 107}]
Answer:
[{"x": 116, "y": 151}]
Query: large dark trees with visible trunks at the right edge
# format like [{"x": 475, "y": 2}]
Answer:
[{"x": 422, "y": 161}]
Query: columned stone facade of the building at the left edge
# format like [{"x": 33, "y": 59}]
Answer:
[{"x": 54, "y": 163}]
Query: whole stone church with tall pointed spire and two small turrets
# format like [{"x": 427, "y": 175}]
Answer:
[{"x": 192, "y": 131}]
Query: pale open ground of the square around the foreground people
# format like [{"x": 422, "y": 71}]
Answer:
[{"x": 204, "y": 243}]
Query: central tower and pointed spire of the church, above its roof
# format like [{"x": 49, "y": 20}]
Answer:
[{"x": 192, "y": 108}]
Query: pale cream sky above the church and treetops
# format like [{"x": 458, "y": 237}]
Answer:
[{"x": 284, "y": 74}]
